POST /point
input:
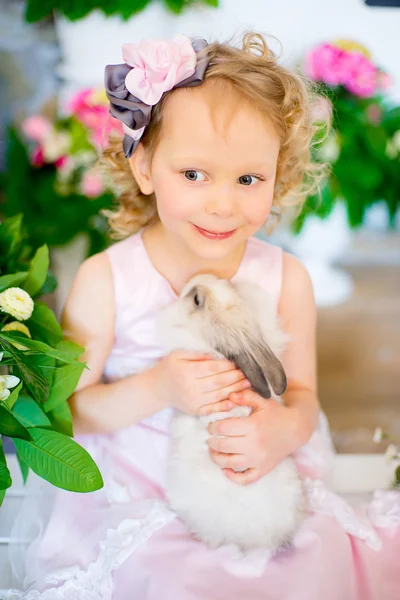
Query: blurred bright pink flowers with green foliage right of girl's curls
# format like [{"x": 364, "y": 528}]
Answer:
[{"x": 363, "y": 145}]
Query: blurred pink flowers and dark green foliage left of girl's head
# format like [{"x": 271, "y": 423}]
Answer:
[{"x": 52, "y": 177}]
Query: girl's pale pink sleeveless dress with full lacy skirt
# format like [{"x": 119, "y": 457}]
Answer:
[{"x": 124, "y": 543}]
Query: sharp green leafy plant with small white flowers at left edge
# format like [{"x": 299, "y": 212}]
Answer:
[{"x": 39, "y": 370}]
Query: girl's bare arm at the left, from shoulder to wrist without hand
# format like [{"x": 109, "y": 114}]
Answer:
[{"x": 88, "y": 320}]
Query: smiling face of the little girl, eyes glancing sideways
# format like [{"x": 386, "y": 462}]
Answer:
[{"x": 213, "y": 172}]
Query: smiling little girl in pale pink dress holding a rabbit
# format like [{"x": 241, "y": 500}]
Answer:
[{"x": 216, "y": 138}]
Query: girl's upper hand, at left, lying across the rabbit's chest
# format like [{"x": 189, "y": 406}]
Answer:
[{"x": 197, "y": 384}]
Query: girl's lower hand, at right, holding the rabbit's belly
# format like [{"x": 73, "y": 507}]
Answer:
[{"x": 255, "y": 444}]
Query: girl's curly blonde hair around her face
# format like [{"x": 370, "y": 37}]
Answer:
[{"x": 286, "y": 98}]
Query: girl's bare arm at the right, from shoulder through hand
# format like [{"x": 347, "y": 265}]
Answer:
[{"x": 259, "y": 442}]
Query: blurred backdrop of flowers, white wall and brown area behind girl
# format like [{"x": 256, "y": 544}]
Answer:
[{"x": 54, "y": 113}]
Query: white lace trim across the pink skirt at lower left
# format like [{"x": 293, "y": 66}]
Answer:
[{"x": 96, "y": 581}]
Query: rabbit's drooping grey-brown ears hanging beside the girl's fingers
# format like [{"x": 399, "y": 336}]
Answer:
[{"x": 258, "y": 363}]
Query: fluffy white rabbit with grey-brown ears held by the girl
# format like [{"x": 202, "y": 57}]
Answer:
[{"x": 235, "y": 321}]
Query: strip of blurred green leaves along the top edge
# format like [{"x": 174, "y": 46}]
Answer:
[{"x": 38, "y": 9}]
